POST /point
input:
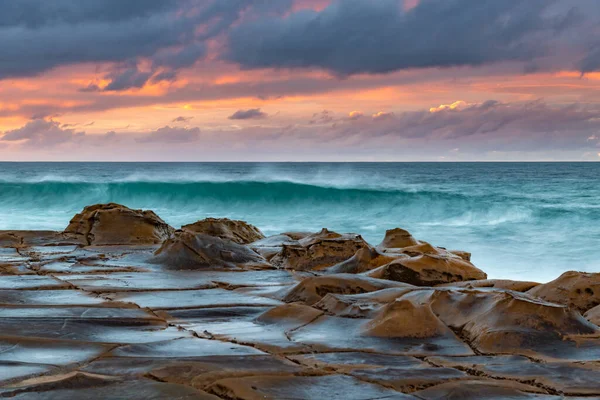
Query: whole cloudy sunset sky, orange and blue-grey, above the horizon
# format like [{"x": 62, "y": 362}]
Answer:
[{"x": 300, "y": 80}]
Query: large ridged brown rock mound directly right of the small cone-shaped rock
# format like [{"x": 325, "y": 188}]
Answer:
[{"x": 505, "y": 322}]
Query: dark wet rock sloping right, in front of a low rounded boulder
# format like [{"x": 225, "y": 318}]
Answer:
[{"x": 187, "y": 251}]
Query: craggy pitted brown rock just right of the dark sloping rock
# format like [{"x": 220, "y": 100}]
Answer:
[{"x": 319, "y": 251}]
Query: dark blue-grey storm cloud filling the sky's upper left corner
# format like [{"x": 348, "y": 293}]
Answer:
[{"x": 38, "y": 35}]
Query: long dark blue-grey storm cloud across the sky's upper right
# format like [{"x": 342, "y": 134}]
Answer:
[{"x": 355, "y": 36}]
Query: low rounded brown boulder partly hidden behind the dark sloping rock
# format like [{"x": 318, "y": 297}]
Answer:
[{"x": 237, "y": 231}]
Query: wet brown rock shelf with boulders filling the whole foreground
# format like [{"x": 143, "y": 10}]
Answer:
[{"x": 149, "y": 313}]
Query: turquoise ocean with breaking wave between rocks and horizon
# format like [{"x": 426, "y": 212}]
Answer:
[{"x": 528, "y": 221}]
